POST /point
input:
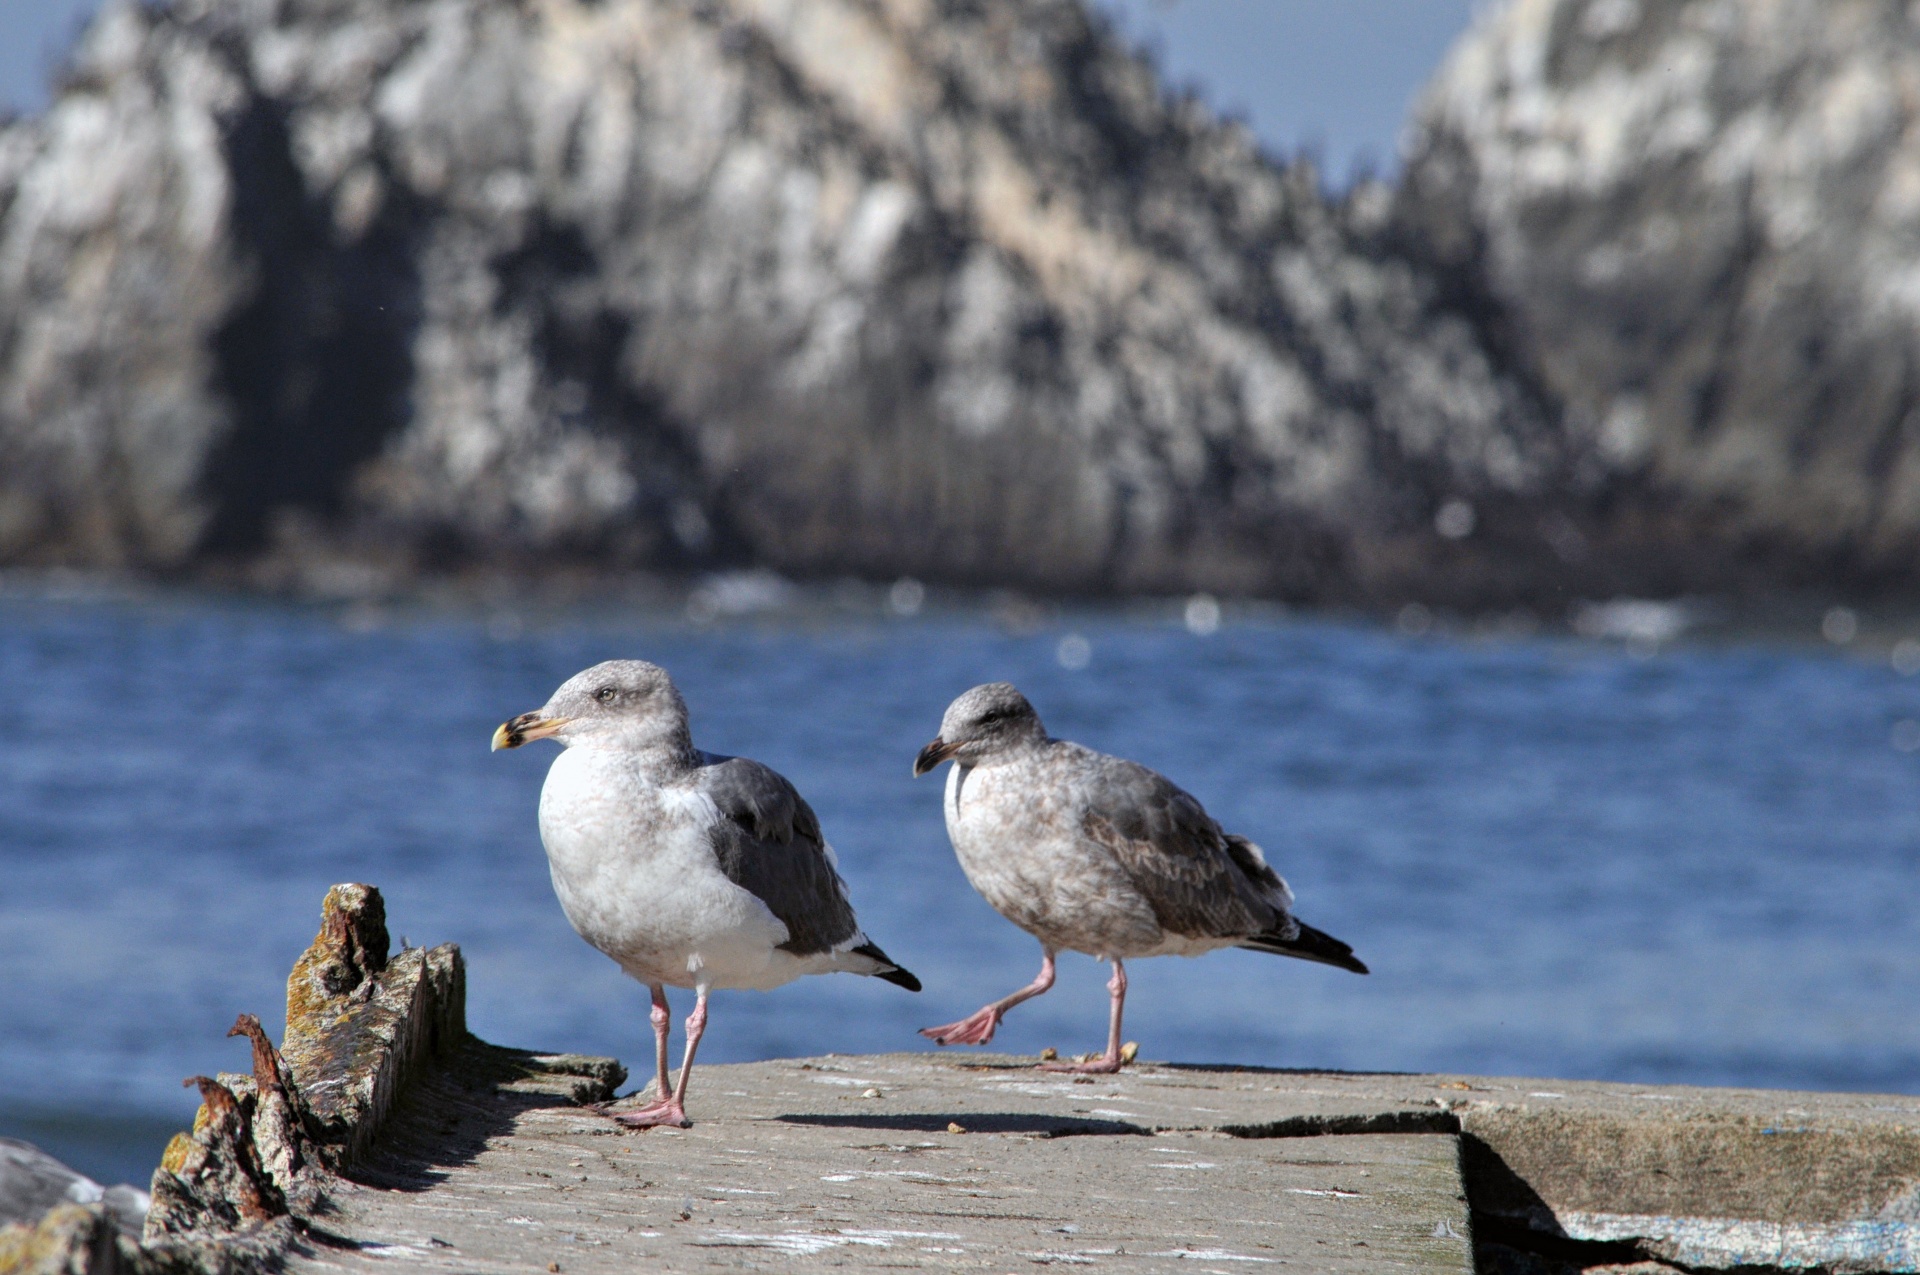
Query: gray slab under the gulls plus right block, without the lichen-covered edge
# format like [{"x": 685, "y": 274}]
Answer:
[{"x": 969, "y": 1163}]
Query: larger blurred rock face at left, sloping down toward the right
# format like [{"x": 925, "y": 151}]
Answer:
[{"x": 830, "y": 285}]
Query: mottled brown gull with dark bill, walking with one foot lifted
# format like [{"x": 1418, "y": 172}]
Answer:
[{"x": 1097, "y": 855}]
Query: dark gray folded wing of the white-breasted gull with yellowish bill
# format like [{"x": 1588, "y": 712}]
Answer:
[{"x": 769, "y": 844}]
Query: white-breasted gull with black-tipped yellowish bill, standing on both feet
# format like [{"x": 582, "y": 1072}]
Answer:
[{"x": 684, "y": 867}]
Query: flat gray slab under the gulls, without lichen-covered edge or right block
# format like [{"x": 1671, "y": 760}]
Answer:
[{"x": 898, "y": 1163}]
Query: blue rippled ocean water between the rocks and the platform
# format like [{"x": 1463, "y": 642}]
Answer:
[{"x": 1560, "y": 859}]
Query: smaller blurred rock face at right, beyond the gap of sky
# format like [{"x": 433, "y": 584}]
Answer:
[{"x": 1696, "y": 228}]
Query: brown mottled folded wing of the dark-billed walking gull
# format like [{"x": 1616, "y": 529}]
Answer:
[{"x": 1199, "y": 880}]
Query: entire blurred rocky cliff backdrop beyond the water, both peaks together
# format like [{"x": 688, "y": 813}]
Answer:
[{"x": 955, "y": 289}]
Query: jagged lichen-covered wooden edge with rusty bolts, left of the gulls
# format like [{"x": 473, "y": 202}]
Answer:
[{"x": 233, "y": 1193}]
